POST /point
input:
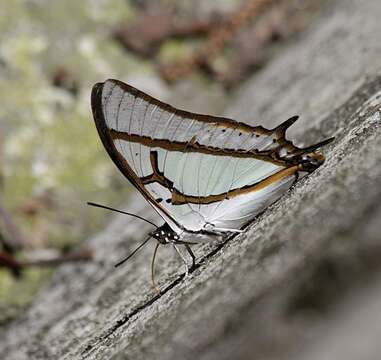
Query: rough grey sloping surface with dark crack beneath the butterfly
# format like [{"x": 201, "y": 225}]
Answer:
[{"x": 302, "y": 282}]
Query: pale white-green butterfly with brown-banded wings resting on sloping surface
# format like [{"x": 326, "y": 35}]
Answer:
[{"x": 204, "y": 175}]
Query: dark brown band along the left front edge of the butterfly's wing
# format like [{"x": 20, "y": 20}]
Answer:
[{"x": 117, "y": 158}]
